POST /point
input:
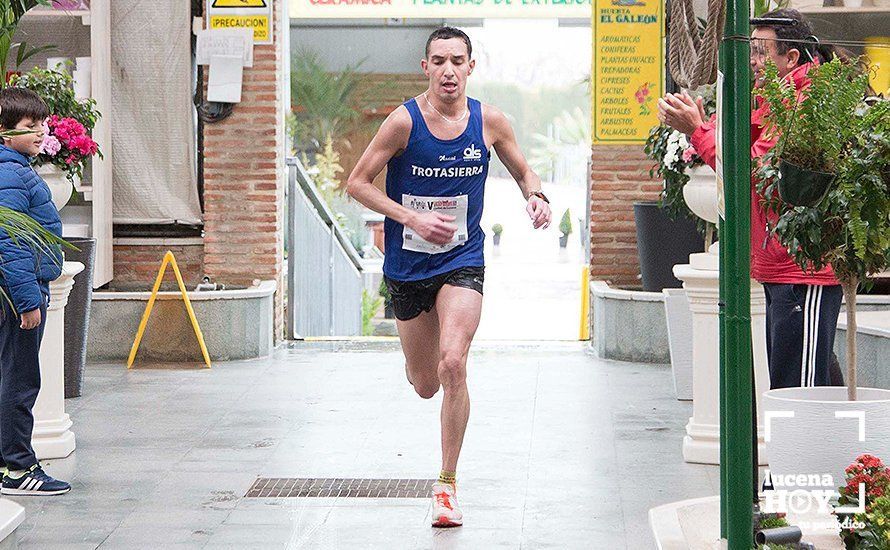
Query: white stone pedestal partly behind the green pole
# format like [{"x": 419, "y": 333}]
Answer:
[{"x": 701, "y": 279}]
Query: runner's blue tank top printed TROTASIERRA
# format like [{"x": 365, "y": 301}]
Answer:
[{"x": 430, "y": 173}]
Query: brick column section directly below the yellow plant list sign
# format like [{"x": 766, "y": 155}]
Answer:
[{"x": 619, "y": 177}]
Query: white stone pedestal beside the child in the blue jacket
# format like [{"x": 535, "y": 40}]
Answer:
[{"x": 52, "y": 426}]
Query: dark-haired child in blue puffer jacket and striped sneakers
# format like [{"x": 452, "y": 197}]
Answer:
[{"x": 25, "y": 273}]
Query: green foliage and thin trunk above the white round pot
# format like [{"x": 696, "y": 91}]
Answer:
[{"x": 835, "y": 131}]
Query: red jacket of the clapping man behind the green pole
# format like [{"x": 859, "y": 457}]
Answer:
[{"x": 770, "y": 261}]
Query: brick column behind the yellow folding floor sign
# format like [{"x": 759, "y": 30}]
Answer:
[{"x": 245, "y": 178}]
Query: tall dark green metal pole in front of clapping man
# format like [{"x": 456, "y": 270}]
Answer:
[{"x": 736, "y": 370}]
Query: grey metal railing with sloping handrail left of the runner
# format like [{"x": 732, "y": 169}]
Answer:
[{"x": 324, "y": 291}]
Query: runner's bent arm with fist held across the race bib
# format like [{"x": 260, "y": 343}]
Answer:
[{"x": 390, "y": 141}]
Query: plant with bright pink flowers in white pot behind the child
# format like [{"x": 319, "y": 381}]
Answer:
[{"x": 67, "y": 145}]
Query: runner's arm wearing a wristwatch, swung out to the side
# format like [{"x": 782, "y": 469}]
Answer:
[{"x": 504, "y": 142}]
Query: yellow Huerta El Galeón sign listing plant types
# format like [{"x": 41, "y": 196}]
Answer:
[{"x": 628, "y": 69}]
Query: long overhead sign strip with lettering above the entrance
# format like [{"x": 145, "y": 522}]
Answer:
[{"x": 438, "y": 9}]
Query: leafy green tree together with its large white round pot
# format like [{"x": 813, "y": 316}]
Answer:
[{"x": 850, "y": 230}]
